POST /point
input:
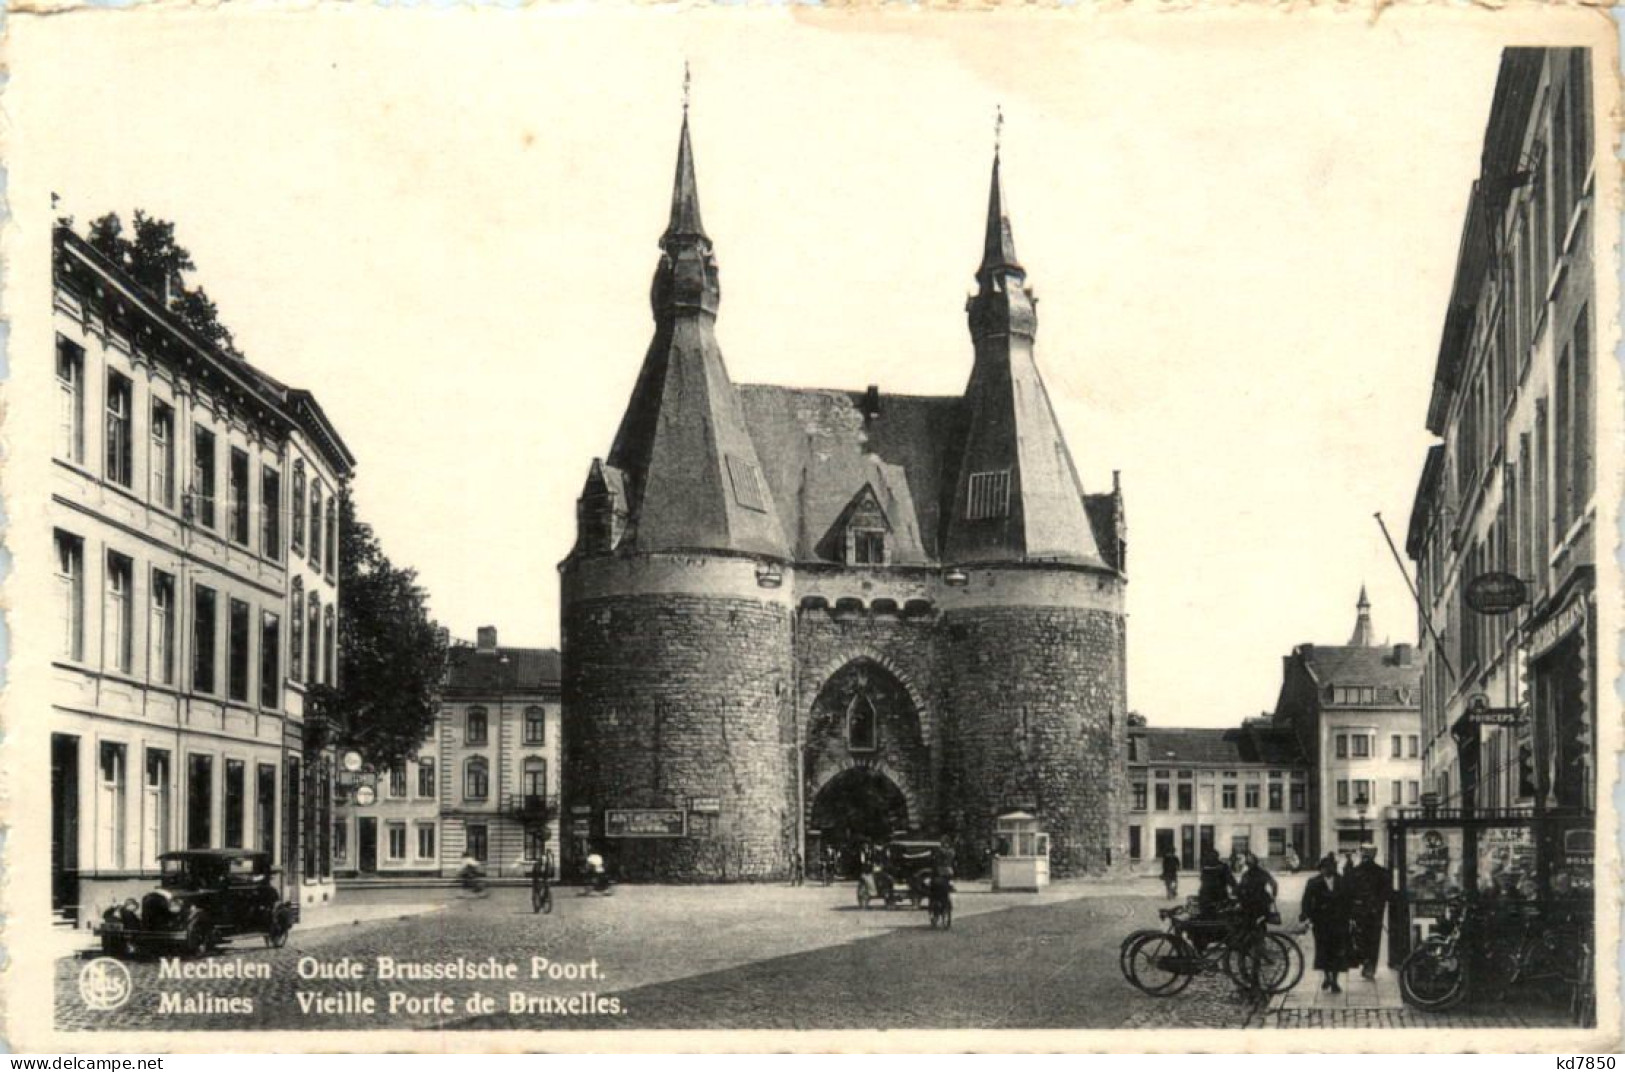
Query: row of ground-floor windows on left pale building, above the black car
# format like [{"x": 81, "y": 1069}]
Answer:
[{"x": 155, "y": 811}]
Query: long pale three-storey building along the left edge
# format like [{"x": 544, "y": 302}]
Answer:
[{"x": 194, "y": 527}]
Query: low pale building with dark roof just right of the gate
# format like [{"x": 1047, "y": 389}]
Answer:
[{"x": 1231, "y": 790}]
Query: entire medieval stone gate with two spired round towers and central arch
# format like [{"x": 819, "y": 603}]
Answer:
[{"x": 797, "y": 618}]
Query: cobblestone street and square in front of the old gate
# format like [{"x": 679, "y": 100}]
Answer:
[{"x": 709, "y": 957}]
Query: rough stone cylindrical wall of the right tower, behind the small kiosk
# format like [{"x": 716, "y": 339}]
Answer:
[{"x": 1034, "y": 719}]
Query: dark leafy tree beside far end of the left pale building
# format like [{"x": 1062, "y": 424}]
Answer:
[{"x": 391, "y": 652}]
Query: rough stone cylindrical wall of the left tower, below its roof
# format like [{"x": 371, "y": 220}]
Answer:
[{"x": 672, "y": 698}]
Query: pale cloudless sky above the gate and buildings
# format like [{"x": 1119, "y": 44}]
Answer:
[{"x": 1242, "y": 231}]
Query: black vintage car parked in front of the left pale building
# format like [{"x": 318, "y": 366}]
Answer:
[{"x": 204, "y": 896}]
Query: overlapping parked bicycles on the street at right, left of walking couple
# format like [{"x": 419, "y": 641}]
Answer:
[{"x": 1161, "y": 964}]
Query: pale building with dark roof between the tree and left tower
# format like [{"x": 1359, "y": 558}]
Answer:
[{"x": 487, "y": 784}]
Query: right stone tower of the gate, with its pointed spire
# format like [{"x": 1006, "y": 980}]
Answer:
[{"x": 1034, "y": 641}]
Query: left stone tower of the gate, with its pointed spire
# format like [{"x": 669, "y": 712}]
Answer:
[{"x": 677, "y": 654}]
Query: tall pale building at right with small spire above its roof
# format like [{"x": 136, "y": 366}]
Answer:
[{"x": 1356, "y": 714}]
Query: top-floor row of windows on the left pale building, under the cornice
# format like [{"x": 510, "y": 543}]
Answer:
[{"x": 201, "y": 496}]
